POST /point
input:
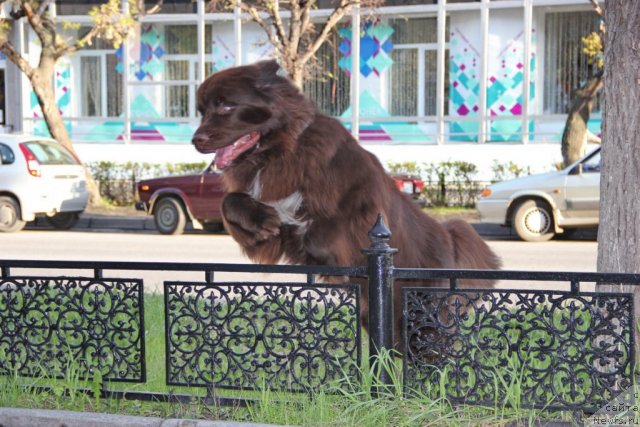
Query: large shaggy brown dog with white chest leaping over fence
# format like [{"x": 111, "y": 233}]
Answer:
[{"x": 302, "y": 190}]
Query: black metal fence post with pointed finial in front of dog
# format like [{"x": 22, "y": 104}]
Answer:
[{"x": 380, "y": 272}]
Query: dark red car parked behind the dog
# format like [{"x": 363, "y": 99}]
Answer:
[{"x": 176, "y": 200}]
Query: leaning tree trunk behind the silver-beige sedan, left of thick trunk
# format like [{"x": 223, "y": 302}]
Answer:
[{"x": 574, "y": 137}]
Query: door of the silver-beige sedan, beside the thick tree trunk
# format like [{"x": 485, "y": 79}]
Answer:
[{"x": 582, "y": 190}]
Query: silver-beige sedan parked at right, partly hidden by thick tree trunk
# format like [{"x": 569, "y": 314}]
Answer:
[{"x": 540, "y": 206}]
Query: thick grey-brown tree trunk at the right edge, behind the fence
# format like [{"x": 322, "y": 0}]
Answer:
[{"x": 619, "y": 231}]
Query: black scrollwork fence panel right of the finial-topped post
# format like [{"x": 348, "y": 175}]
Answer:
[{"x": 563, "y": 350}]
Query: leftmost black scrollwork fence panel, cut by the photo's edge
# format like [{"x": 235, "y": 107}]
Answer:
[{"x": 51, "y": 325}]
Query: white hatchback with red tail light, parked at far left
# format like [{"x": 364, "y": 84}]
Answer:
[{"x": 39, "y": 176}]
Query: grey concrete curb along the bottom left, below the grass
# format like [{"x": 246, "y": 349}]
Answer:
[{"x": 16, "y": 417}]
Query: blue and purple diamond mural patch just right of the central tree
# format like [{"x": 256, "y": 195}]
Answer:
[{"x": 375, "y": 46}]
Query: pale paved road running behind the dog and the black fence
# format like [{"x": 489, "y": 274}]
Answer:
[{"x": 92, "y": 245}]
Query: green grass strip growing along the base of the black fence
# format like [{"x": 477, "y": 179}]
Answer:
[{"x": 343, "y": 402}]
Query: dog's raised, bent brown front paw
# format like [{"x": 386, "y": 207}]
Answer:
[{"x": 249, "y": 221}]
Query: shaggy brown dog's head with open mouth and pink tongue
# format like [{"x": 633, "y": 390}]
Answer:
[{"x": 240, "y": 106}]
